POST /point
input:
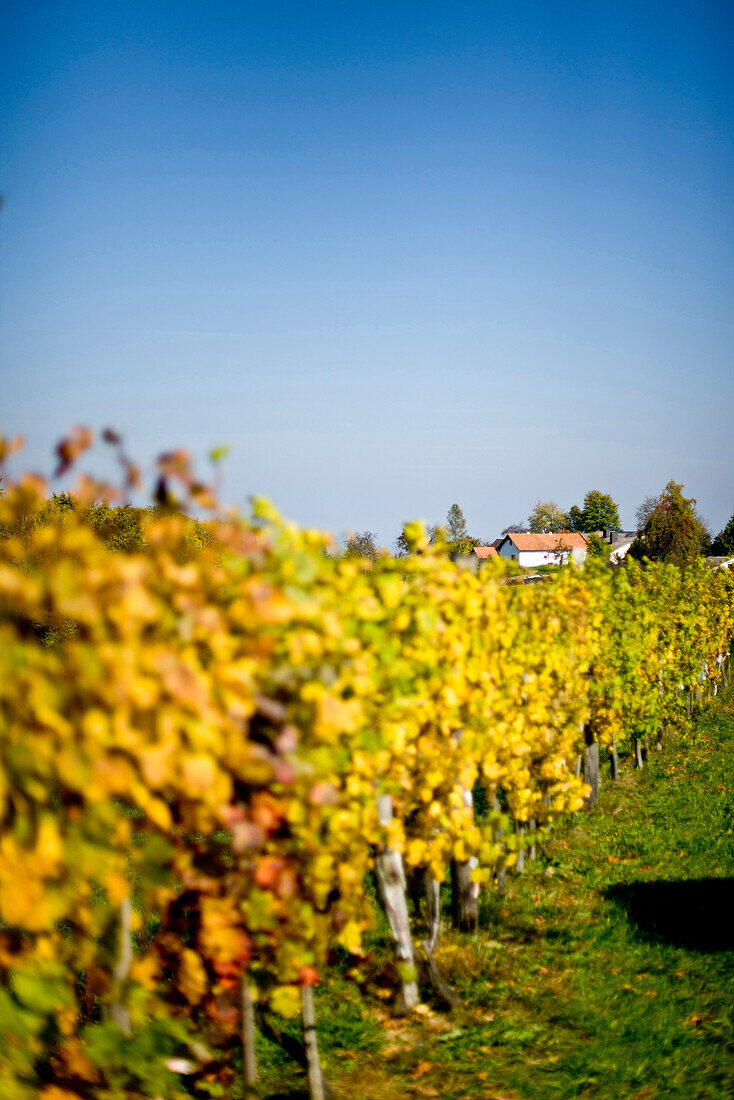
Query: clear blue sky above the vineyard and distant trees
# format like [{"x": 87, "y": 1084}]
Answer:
[{"x": 396, "y": 255}]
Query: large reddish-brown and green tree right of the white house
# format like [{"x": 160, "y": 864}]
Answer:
[{"x": 674, "y": 532}]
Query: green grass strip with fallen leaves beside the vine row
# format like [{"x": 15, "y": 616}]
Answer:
[{"x": 608, "y": 972}]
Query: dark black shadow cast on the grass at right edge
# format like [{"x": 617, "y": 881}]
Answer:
[{"x": 697, "y": 915}]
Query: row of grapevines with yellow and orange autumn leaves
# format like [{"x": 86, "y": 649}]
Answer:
[{"x": 215, "y": 736}]
